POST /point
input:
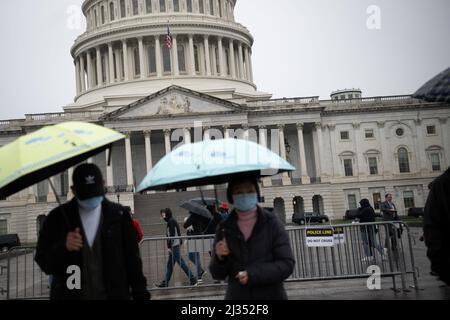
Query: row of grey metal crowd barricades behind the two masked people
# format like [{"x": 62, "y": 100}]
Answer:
[{"x": 356, "y": 247}]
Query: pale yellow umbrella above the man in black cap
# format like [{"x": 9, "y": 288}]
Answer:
[{"x": 49, "y": 151}]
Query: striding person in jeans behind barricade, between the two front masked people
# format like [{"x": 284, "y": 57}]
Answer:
[{"x": 173, "y": 244}]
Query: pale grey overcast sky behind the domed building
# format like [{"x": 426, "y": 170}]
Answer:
[{"x": 302, "y": 48}]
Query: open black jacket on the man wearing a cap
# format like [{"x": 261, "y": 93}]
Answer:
[{"x": 122, "y": 265}]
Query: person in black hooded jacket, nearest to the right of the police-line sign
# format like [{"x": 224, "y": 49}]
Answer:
[{"x": 366, "y": 214}]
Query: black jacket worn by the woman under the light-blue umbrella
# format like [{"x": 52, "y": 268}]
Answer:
[{"x": 266, "y": 256}]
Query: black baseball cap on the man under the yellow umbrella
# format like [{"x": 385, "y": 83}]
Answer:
[{"x": 88, "y": 181}]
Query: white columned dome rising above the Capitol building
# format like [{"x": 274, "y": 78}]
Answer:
[{"x": 211, "y": 52}]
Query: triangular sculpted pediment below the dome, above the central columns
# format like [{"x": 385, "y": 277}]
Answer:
[{"x": 174, "y": 101}]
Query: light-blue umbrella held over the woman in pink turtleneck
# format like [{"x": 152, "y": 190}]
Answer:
[{"x": 212, "y": 162}]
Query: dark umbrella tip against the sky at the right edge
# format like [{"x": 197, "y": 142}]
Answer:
[{"x": 437, "y": 89}]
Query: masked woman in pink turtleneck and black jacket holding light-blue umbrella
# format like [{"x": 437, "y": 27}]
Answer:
[{"x": 251, "y": 248}]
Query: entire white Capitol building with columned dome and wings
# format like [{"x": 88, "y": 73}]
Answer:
[{"x": 346, "y": 148}]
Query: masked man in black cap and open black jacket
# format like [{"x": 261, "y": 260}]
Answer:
[{"x": 88, "y": 245}]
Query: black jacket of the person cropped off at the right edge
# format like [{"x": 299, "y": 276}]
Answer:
[{"x": 436, "y": 226}]
